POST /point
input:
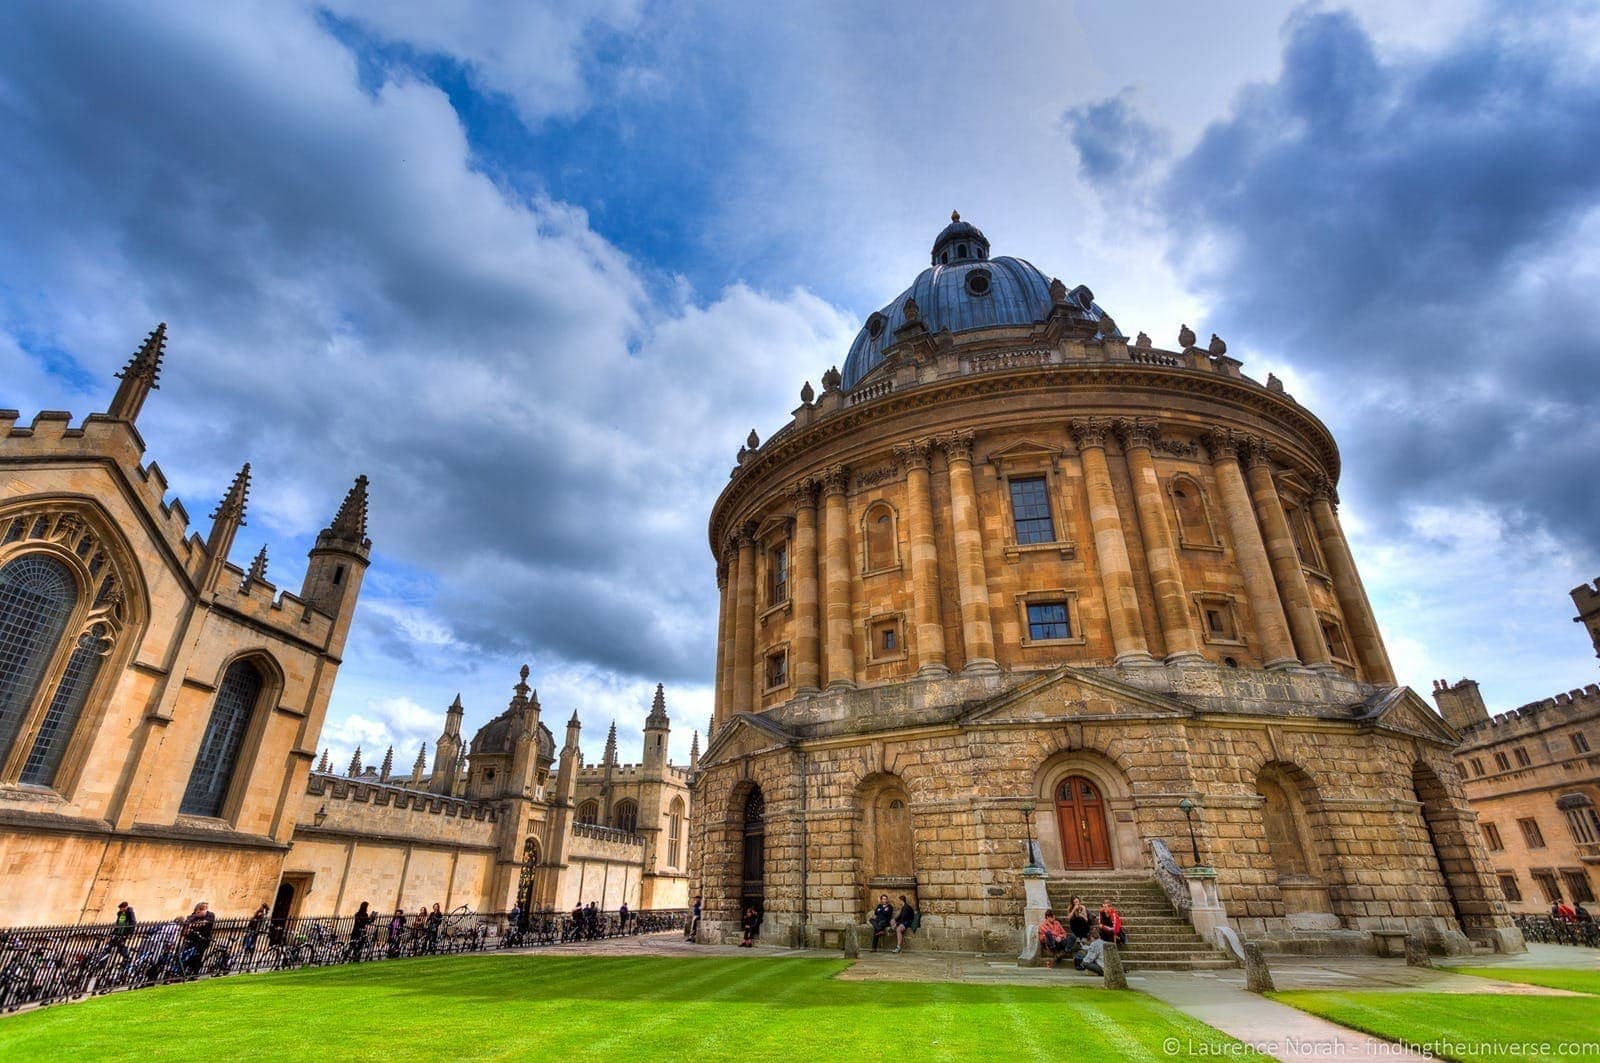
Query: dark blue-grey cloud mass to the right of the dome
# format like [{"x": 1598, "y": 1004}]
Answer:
[{"x": 1417, "y": 235}]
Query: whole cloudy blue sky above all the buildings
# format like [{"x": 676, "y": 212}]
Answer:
[{"x": 538, "y": 270}]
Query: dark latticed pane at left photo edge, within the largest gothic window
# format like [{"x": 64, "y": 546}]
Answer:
[{"x": 38, "y": 596}]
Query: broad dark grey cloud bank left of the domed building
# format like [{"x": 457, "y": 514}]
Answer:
[{"x": 348, "y": 294}]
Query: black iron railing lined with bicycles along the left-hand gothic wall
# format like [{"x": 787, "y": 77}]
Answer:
[{"x": 52, "y": 965}]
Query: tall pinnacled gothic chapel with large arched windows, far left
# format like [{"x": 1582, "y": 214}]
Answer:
[{"x": 159, "y": 707}]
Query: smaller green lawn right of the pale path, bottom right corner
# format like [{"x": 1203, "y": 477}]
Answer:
[{"x": 1474, "y": 1025}]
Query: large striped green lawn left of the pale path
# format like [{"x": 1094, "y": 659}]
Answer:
[{"x": 554, "y": 1008}]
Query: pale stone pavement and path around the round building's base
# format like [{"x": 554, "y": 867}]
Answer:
[{"x": 1217, "y": 998}]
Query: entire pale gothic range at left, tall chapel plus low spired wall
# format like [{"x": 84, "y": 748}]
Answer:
[{"x": 161, "y": 712}]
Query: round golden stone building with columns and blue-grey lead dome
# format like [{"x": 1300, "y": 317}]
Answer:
[{"x": 1012, "y": 592}]
